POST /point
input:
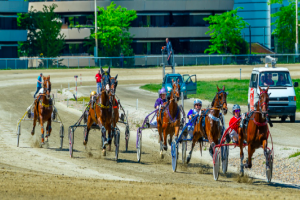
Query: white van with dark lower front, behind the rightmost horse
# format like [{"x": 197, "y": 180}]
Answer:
[{"x": 282, "y": 102}]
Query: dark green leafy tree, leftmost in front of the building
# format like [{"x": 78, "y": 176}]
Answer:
[{"x": 44, "y": 37}]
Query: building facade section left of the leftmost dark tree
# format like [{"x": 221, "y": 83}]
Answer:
[{"x": 10, "y": 34}]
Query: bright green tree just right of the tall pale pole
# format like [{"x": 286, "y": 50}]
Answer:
[{"x": 113, "y": 31}]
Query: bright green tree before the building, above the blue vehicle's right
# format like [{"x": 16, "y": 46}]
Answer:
[{"x": 225, "y": 32}]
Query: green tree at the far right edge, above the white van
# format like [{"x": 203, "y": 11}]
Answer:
[{"x": 285, "y": 31}]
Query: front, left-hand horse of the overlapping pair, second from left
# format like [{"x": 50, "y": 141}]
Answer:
[{"x": 101, "y": 111}]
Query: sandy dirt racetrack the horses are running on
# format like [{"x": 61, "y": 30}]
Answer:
[{"x": 29, "y": 172}]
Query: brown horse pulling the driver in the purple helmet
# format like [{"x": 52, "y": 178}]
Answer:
[{"x": 168, "y": 119}]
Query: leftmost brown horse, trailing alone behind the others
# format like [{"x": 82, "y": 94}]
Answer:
[{"x": 43, "y": 109}]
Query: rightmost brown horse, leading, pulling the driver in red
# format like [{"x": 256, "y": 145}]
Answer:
[{"x": 257, "y": 131}]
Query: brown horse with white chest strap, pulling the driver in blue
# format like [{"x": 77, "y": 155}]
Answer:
[{"x": 212, "y": 129}]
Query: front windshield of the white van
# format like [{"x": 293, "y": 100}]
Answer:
[{"x": 275, "y": 79}]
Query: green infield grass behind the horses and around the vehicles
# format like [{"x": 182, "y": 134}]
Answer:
[{"x": 238, "y": 90}]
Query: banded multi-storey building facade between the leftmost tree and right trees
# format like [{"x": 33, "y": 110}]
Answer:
[{"x": 181, "y": 21}]
